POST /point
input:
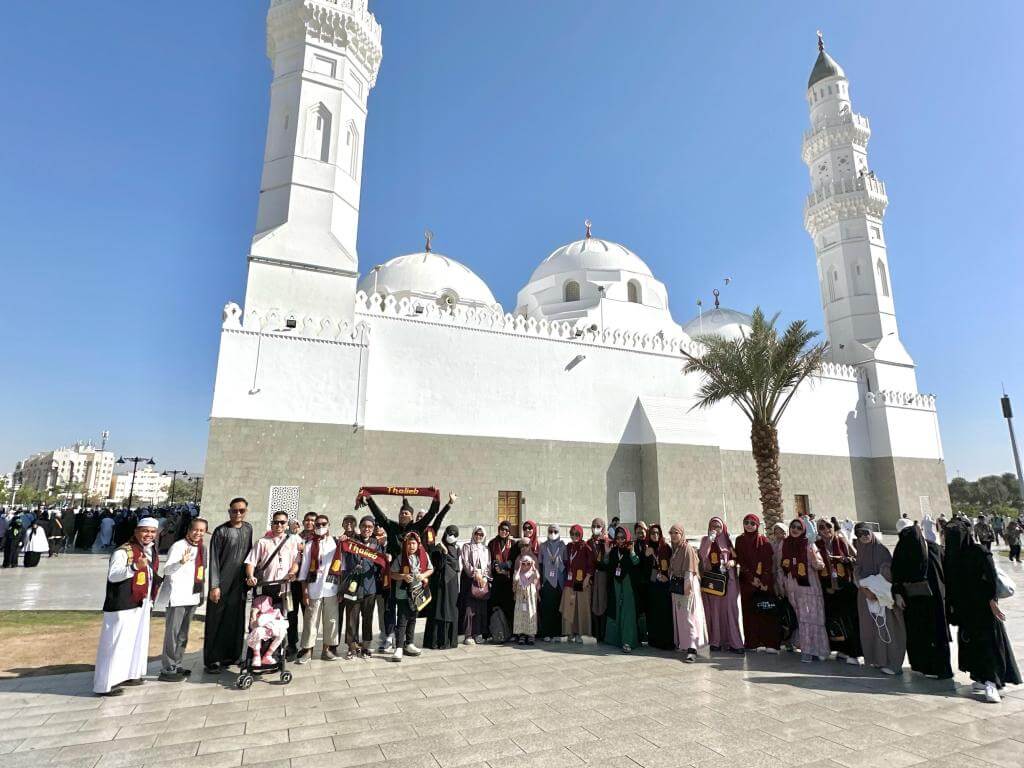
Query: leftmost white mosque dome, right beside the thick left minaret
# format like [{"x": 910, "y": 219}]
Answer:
[{"x": 429, "y": 276}]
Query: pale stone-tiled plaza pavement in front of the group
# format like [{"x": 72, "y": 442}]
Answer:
[{"x": 547, "y": 706}]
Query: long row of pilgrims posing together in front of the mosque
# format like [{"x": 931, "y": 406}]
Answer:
[{"x": 820, "y": 595}]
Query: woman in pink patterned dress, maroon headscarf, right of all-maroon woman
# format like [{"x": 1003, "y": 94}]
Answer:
[{"x": 801, "y": 564}]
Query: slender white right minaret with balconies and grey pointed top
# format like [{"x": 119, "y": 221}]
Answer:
[{"x": 843, "y": 217}]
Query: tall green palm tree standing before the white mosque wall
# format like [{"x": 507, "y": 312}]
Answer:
[{"x": 759, "y": 372}]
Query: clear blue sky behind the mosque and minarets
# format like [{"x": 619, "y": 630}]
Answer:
[{"x": 134, "y": 140}]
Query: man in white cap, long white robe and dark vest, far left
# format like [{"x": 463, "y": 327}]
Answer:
[{"x": 124, "y": 641}]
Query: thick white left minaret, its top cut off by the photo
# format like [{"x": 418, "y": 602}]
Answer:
[{"x": 326, "y": 55}]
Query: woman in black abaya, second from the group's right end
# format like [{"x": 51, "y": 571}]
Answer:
[{"x": 919, "y": 585}]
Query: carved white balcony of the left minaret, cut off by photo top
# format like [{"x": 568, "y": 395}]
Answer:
[{"x": 343, "y": 24}]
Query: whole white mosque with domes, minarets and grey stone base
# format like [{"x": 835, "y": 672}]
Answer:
[{"x": 573, "y": 405}]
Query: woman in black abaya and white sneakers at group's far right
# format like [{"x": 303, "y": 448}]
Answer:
[{"x": 985, "y": 650}]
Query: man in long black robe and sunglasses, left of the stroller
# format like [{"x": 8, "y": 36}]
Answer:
[{"x": 226, "y": 612}]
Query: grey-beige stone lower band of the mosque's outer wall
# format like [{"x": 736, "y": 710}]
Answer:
[{"x": 320, "y": 467}]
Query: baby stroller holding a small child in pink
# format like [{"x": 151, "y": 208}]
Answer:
[{"x": 266, "y": 610}]
